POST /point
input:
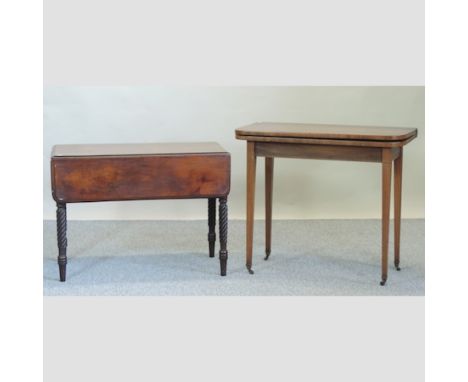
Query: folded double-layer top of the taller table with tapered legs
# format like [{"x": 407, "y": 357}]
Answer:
[{"x": 323, "y": 131}]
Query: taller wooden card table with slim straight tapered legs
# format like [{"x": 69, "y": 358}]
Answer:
[{"x": 335, "y": 142}]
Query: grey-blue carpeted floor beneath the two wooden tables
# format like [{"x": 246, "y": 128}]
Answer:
[{"x": 313, "y": 257}]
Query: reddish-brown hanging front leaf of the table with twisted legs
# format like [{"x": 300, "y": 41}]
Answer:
[{"x": 112, "y": 178}]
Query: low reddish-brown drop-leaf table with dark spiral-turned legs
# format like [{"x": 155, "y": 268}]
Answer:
[{"x": 118, "y": 172}]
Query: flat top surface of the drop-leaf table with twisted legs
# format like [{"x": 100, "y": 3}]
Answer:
[{"x": 136, "y": 149}]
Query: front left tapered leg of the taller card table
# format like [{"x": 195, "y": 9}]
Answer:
[{"x": 251, "y": 172}]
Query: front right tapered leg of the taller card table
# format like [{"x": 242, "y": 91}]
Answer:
[{"x": 386, "y": 191}]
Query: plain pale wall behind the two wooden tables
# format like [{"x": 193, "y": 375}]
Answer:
[{"x": 303, "y": 189}]
